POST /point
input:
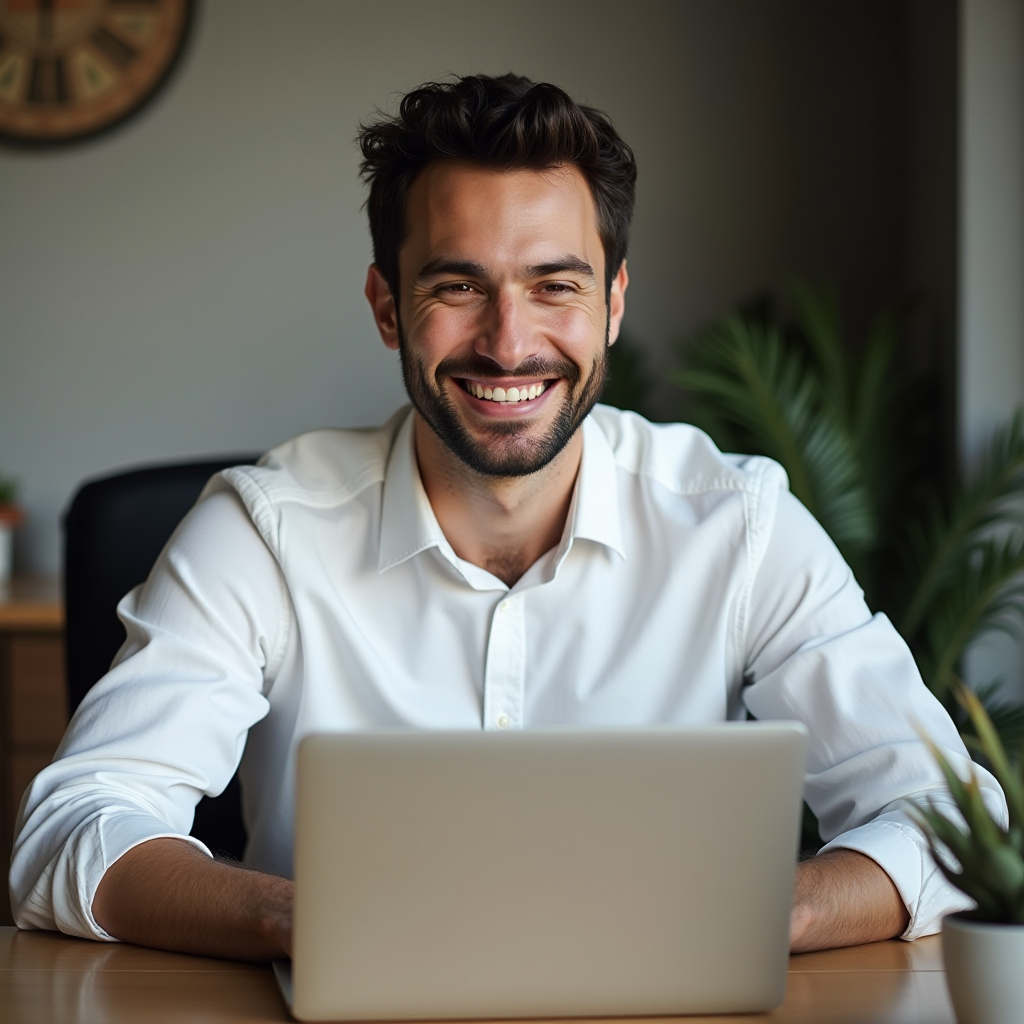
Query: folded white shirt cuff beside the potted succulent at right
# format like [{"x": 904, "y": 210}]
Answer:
[{"x": 904, "y": 855}]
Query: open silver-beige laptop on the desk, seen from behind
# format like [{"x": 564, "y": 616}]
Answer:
[{"x": 544, "y": 874}]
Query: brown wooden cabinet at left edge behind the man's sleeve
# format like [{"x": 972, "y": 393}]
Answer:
[{"x": 33, "y": 699}]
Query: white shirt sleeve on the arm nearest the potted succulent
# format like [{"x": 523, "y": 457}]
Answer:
[{"x": 816, "y": 654}]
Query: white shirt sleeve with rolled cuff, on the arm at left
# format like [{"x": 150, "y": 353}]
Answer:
[{"x": 166, "y": 727}]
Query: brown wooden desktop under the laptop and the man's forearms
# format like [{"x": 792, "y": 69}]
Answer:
[{"x": 48, "y": 977}]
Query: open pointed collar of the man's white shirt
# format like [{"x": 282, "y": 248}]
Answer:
[{"x": 409, "y": 525}]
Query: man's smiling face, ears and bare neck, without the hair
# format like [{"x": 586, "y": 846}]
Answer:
[{"x": 503, "y": 330}]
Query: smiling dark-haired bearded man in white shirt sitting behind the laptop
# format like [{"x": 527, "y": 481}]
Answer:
[{"x": 506, "y": 554}]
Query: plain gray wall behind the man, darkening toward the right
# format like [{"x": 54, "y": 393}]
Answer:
[{"x": 193, "y": 283}]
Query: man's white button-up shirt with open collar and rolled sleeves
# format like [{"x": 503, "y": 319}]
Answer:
[{"x": 317, "y": 592}]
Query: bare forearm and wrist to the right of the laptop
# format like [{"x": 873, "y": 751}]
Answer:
[{"x": 843, "y": 899}]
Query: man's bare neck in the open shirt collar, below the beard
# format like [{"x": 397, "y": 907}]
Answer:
[{"x": 503, "y": 525}]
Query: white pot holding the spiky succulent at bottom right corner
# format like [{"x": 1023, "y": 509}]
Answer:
[{"x": 985, "y": 970}]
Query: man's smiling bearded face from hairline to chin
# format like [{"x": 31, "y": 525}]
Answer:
[{"x": 502, "y": 323}]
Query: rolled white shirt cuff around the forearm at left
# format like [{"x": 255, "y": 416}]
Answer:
[{"x": 91, "y": 850}]
